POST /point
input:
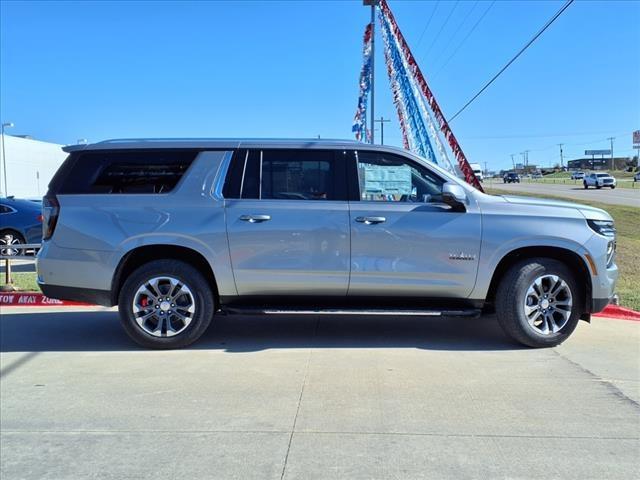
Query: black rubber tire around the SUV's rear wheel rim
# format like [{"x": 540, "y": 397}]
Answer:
[{"x": 199, "y": 287}]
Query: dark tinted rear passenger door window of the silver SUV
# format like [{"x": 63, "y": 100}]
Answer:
[{"x": 286, "y": 174}]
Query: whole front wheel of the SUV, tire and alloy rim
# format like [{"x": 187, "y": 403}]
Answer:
[{"x": 538, "y": 302}]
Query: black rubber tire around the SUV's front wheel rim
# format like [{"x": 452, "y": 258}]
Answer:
[{"x": 511, "y": 295}]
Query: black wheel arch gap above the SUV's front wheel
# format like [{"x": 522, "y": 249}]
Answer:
[{"x": 568, "y": 257}]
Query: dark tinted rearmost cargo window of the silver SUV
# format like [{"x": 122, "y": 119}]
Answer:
[{"x": 133, "y": 171}]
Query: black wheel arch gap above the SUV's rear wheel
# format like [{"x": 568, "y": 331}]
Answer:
[{"x": 146, "y": 253}]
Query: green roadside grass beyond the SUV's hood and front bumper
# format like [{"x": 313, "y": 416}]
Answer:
[{"x": 628, "y": 253}]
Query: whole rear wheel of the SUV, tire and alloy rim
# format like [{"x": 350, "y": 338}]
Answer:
[{"x": 166, "y": 304}]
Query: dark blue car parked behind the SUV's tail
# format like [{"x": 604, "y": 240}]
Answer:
[{"x": 20, "y": 222}]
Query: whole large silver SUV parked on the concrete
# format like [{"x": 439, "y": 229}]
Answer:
[{"x": 177, "y": 231}]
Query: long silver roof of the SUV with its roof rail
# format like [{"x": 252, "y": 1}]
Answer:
[{"x": 214, "y": 143}]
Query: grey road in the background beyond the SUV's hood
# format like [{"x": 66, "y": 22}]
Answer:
[{"x": 619, "y": 196}]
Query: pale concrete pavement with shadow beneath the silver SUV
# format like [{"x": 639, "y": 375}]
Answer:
[{"x": 310, "y": 397}]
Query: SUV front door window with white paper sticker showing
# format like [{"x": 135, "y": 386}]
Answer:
[{"x": 390, "y": 178}]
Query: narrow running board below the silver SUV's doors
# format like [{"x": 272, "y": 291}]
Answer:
[{"x": 404, "y": 313}]
